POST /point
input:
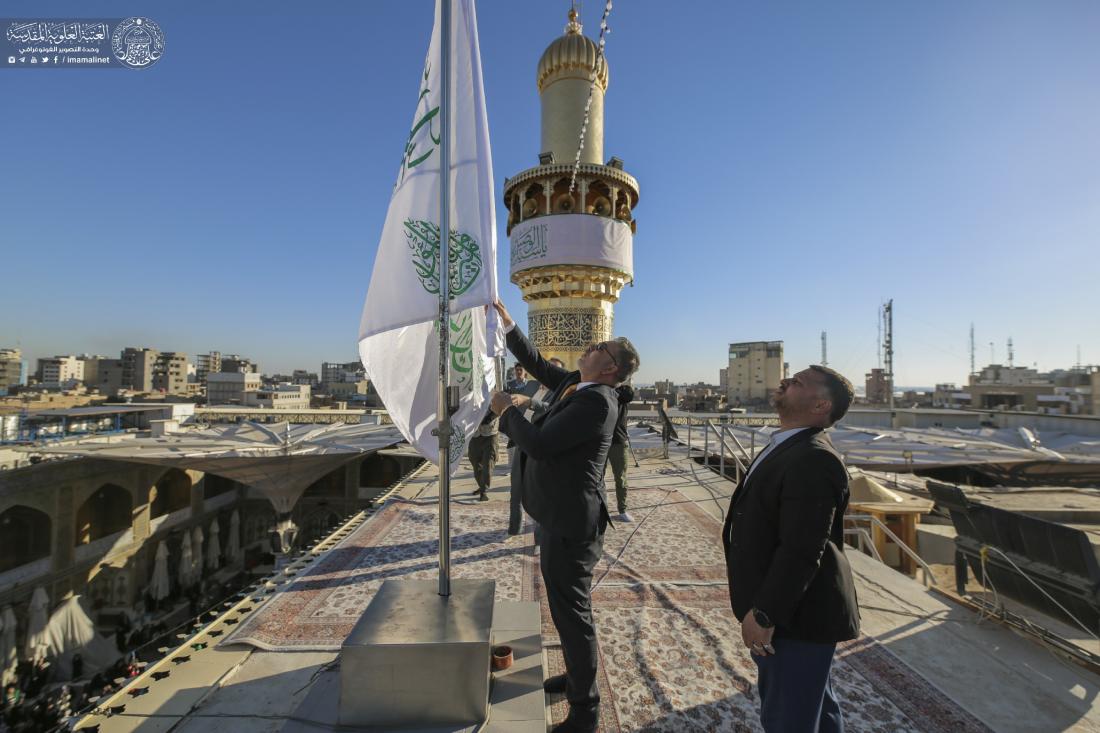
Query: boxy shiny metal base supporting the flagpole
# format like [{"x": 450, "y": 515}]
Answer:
[{"x": 417, "y": 658}]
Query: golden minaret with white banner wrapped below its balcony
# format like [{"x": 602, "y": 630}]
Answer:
[{"x": 573, "y": 251}]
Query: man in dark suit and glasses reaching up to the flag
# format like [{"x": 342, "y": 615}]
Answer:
[{"x": 563, "y": 455}]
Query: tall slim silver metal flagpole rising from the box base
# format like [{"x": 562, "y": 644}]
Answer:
[{"x": 445, "y": 300}]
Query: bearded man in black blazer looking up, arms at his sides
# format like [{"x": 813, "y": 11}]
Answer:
[{"x": 790, "y": 584}]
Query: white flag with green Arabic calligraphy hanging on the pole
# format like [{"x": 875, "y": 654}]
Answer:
[{"x": 399, "y": 338}]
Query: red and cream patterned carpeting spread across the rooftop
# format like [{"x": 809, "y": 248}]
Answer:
[{"x": 672, "y": 657}]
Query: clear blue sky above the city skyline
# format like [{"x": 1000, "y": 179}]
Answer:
[{"x": 799, "y": 163}]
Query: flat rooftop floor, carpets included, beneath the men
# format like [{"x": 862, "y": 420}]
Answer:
[{"x": 672, "y": 655}]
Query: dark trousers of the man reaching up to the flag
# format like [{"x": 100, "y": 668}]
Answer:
[{"x": 567, "y": 572}]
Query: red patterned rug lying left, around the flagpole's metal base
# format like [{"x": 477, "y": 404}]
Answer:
[{"x": 318, "y": 610}]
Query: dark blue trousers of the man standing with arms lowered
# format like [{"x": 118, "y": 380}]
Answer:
[{"x": 796, "y": 692}]
